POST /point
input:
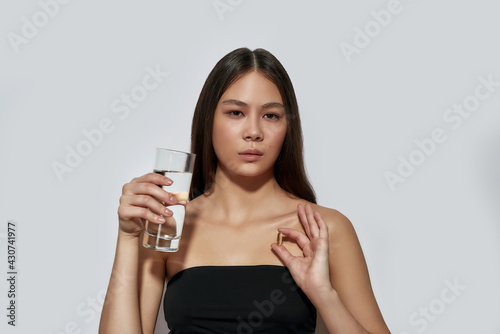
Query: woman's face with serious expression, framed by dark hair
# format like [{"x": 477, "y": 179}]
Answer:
[{"x": 249, "y": 126}]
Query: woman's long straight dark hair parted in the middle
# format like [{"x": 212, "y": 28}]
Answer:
[{"x": 289, "y": 167}]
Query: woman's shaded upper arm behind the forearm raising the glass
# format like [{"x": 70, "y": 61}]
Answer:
[{"x": 151, "y": 280}]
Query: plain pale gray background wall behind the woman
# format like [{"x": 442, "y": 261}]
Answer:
[{"x": 361, "y": 114}]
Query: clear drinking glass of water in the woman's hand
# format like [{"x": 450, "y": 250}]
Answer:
[{"x": 177, "y": 166}]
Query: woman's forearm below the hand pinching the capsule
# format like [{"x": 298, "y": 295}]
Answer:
[{"x": 335, "y": 315}]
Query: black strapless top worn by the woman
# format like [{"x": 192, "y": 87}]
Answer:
[{"x": 237, "y": 299}]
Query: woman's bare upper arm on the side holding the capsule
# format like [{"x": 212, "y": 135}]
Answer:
[{"x": 349, "y": 274}]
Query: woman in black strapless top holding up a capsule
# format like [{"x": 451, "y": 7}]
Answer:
[{"x": 230, "y": 275}]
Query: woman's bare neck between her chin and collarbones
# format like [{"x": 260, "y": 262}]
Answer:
[{"x": 240, "y": 198}]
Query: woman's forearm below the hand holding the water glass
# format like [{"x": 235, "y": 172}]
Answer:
[{"x": 120, "y": 313}]
